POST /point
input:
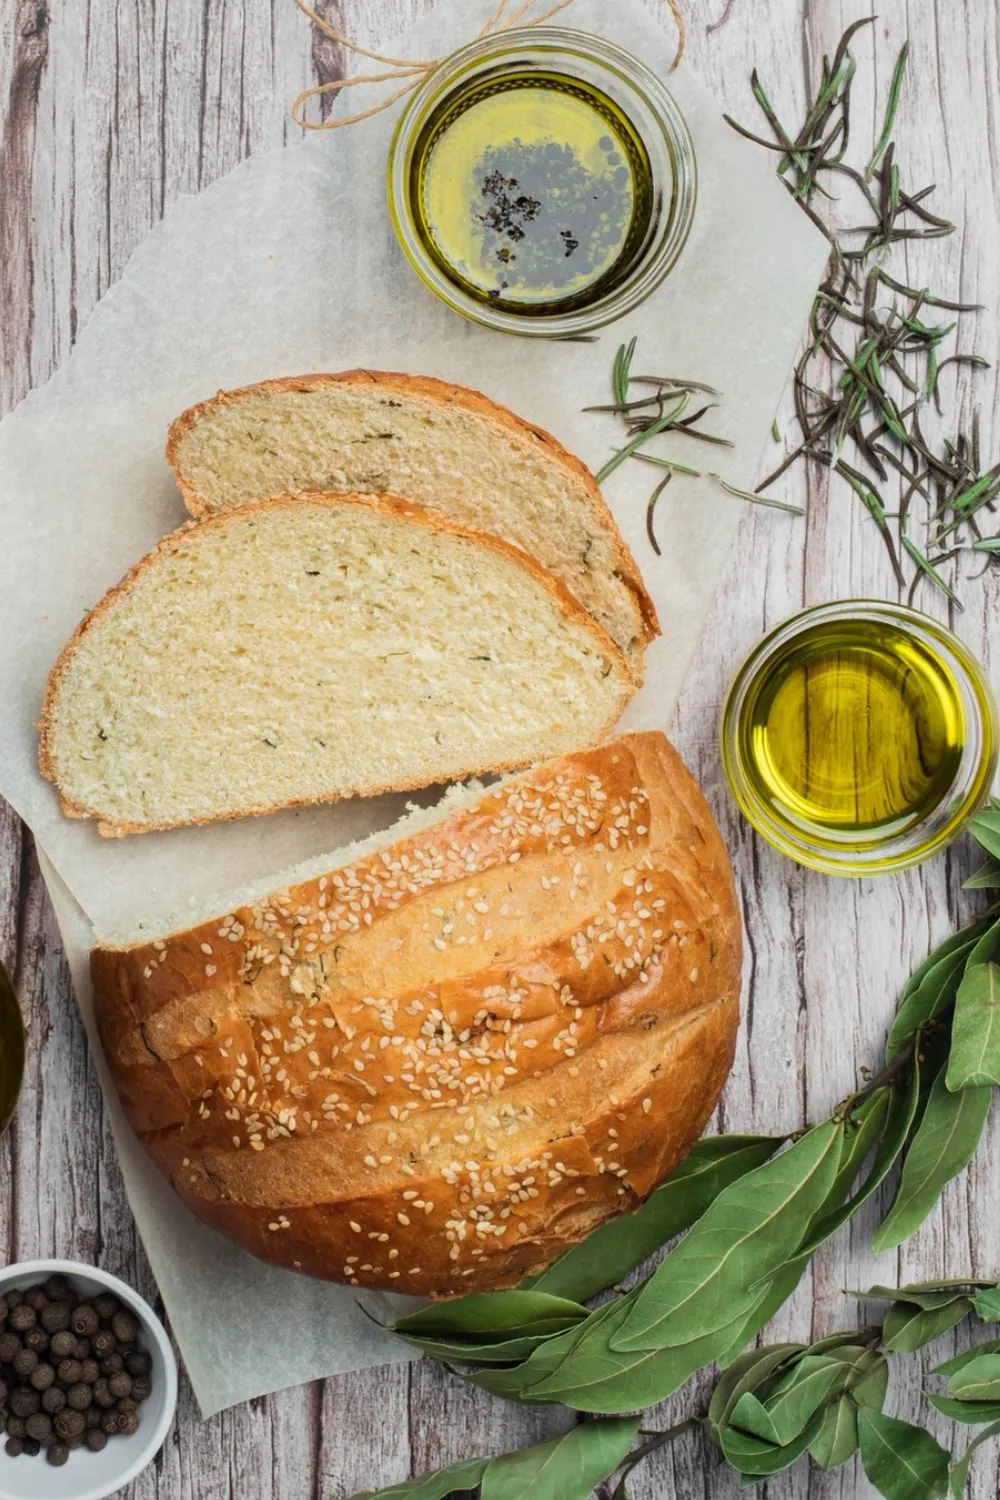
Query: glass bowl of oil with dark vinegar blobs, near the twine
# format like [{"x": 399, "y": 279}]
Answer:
[{"x": 542, "y": 182}]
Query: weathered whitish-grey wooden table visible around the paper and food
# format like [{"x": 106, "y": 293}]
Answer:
[{"x": 110, "y": 112}]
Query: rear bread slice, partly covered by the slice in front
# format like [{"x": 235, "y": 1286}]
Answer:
[{"x": 440, "y": 446}]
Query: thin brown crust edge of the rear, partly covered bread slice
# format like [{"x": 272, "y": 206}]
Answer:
[{"x": 427, "y": 388}]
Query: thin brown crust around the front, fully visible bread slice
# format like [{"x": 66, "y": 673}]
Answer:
[{"x": 382, "y": 505}]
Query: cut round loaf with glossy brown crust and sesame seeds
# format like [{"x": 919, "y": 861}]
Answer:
[{"x": 446, "y": 1061}]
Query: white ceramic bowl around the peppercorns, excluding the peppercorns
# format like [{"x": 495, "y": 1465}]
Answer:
[{"x": 86, "y": 1475}]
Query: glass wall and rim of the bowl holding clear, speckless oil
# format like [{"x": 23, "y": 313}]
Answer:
[{"x": 852, "y": 851}]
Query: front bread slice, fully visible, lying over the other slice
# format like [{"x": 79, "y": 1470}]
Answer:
[{"x": 313, "y": 649}]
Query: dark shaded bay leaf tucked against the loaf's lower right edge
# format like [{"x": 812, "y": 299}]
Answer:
[{"x": 615, "y": 1249}]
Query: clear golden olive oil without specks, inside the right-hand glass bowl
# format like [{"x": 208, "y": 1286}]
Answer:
[{"x": 855, "y": 731}]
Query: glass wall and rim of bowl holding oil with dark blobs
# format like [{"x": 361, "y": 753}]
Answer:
[{"x": 654, "y": 116}]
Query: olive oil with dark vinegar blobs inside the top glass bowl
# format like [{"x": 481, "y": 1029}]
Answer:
[{"x": 533, "y": 191}]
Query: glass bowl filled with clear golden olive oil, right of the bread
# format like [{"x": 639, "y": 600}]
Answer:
[{"x": 860, "y": 737}]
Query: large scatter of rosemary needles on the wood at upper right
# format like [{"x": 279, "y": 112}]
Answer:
[{"x": 873, "y": 367}]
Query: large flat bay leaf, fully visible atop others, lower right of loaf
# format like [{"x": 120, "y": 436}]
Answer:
[{"x": 749, "y": 1232}]
